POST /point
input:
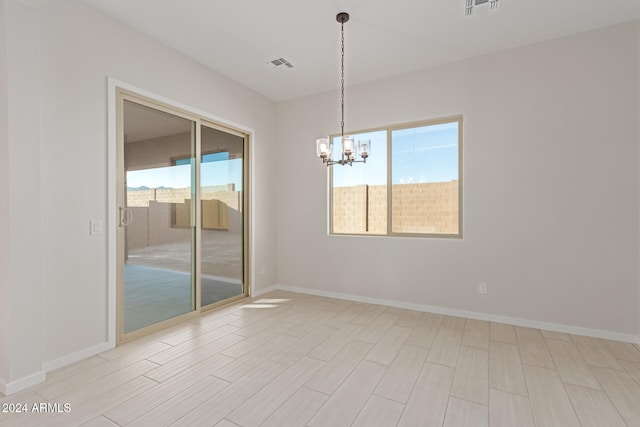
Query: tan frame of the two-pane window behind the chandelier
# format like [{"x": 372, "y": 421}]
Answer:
[{"x": 389, "y": 186}]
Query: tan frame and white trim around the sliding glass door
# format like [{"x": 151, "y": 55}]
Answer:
[{"x": 118, "y": 93}]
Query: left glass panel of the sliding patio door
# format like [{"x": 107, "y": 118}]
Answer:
[{"x": 159, "y": 149}]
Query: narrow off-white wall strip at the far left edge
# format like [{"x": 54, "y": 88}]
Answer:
[{"x": 22, "y": 268}]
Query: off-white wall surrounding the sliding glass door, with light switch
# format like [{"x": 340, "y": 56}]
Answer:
[{"x": 80, "y": 48}]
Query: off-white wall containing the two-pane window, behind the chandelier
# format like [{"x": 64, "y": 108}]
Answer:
[{"x": 550, "y": 187}]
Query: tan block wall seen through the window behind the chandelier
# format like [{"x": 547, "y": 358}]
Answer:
[{"x": 417, "y": 208}]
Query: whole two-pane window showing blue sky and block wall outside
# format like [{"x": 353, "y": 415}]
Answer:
[{"x": 410, "y": 185}]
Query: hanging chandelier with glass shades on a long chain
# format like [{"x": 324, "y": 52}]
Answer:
[{"x": 324, "y": 146}]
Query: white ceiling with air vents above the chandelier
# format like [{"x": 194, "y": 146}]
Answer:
[{"x": 383, "y": 38}]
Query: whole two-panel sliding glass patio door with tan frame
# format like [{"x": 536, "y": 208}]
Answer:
[{"x": 181, "y": 215}]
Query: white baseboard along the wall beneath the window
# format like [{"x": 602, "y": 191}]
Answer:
[{"x": 527, "y": 323}]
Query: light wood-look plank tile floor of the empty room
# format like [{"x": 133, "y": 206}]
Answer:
[{"x": 288, "y": 359}]
